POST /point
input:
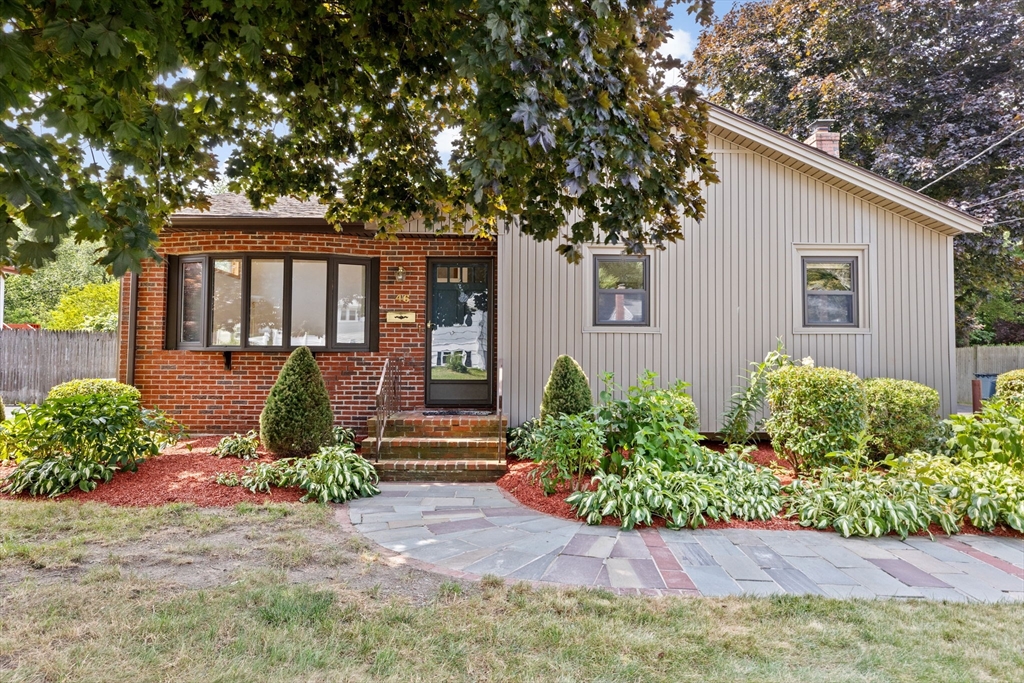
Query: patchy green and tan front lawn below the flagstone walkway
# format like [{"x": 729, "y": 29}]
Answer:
[{"x": 92, "y": 593}]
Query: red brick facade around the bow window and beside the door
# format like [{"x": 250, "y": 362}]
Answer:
[{"x": 196, "y": 389}]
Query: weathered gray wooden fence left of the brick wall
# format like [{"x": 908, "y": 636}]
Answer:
[{"x": 32, "y": 362}]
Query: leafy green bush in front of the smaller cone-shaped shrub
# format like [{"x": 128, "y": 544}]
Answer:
[{"x": 568, "y": 447}]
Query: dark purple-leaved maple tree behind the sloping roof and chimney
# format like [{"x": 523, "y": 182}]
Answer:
[{"x": 917, "y": 87}]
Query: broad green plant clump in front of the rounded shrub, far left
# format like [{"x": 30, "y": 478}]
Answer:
[{"x": 80, "y": 441}]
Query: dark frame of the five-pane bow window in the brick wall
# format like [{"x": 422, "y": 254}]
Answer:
[{"x": 176, "y": 297}]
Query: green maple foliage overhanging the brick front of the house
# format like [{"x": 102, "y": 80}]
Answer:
[{"x": 112, "y": 111}]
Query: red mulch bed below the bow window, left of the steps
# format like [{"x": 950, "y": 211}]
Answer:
[{"x": 180, "y": 476}]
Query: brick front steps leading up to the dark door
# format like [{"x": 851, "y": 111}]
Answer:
[{"x": 420, "y": 447}]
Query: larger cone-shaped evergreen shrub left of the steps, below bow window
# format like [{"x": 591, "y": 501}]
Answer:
[{"x": 297, "y": 418}]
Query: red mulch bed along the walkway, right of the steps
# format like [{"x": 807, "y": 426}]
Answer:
[{"x": 525, "y": 489}]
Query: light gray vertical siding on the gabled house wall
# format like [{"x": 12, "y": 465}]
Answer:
[{"x": 724, "y": 295}]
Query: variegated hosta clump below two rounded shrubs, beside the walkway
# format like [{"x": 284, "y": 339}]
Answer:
[{"x": 861, "y": 502}]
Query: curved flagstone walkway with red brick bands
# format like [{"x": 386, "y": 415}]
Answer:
[{"x": 471, "y": 531}]
